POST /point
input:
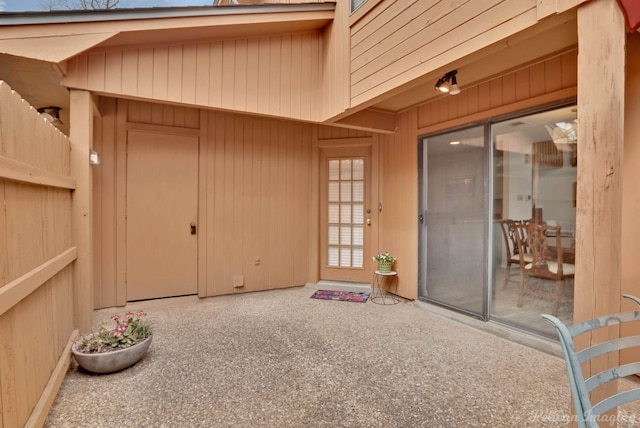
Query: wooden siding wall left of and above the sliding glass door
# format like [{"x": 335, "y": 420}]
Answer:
[{"x": 526, "y": 88}]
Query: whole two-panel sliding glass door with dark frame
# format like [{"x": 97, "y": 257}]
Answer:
[{"x": 474, "y": 183}]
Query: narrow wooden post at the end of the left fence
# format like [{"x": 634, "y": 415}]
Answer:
[{"x": 81, "y": 136}]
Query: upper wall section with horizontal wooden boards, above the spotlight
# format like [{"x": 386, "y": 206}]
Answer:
[{"x": 397, "y": 42}]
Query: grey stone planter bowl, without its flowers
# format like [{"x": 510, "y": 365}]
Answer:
[{"x": 109, "y": 362}]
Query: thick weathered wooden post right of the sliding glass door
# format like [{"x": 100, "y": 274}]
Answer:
[{"x": 601, "y": 83}]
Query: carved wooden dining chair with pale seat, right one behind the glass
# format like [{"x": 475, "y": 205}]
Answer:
[{"x": 546, "y": 262}]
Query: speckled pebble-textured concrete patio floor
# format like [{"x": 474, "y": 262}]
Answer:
[{"x": 281, "y": 359}]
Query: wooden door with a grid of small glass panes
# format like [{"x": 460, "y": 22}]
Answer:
[{"x": 345, "y": 214}]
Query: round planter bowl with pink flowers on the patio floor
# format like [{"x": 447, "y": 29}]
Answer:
[{"x": 114, "y": 348}]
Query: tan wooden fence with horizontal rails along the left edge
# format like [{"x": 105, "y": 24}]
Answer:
[{"x": 36, "y": 255}]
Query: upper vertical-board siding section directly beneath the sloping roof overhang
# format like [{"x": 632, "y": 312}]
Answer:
[{"x": 274, "y": 76}]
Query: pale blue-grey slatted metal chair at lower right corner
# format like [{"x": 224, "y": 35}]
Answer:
[{"x": 587, "y": 413}]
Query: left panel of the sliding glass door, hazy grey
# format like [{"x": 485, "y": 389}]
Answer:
[{"x": 453, "y": 244}]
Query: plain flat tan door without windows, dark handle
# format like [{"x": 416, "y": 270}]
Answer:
[{"x": 162, "y": 208}]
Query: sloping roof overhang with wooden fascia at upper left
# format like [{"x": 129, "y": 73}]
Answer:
[{"x": 57, "y": 36}]
